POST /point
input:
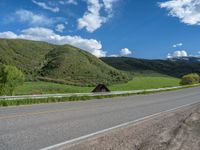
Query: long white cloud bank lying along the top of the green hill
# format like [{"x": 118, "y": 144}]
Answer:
[{"x": 44, "y": 34}]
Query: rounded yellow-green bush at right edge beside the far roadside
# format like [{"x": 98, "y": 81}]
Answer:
[{"x": 189, "y": 79}]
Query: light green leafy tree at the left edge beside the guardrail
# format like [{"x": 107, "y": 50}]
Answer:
[{"x": 10, "y": 78}]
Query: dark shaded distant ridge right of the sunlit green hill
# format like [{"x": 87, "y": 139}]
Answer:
[{"x": 176, "y": 69}]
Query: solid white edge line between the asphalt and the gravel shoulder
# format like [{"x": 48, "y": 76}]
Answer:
[{"x": 140, "y": 120}]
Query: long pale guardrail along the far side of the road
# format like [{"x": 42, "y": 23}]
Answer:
[{"x": 43, "y": 96}]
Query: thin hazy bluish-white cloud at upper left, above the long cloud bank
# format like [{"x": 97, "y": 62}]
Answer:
[{"x": 33, "y": 19}]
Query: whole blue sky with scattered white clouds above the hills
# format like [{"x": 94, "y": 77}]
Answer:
[{"x": 153, "y": 29}]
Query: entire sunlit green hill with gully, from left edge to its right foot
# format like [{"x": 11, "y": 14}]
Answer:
[{"x": 64, "y": 64}]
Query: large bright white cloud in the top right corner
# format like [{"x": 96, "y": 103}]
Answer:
[{"x": 188, "y": 11}]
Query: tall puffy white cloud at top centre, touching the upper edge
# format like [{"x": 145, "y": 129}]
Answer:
[{"x": 92, "y": 18}]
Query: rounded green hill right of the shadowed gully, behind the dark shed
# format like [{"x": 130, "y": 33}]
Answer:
[{"x": 76, "y": 66}]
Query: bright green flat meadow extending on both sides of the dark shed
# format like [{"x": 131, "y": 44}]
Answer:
[{"x": 138, "y": 82}]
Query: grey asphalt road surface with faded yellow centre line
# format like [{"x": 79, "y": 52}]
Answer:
[{"x": 39, "y": 126}]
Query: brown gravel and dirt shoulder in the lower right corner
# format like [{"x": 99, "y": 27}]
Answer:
[{"x": 176, "y": 130}]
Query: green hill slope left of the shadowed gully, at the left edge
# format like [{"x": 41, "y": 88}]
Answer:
[{"x": 26, "y": 55}]
